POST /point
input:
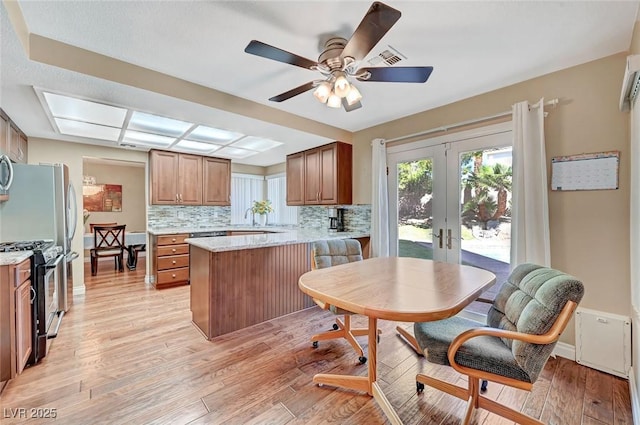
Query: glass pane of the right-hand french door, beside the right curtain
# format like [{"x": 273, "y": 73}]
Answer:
[{"x": 485, "y": 214}]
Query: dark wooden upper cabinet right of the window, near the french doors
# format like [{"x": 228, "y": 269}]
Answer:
[{"x": 320, "y": 176}]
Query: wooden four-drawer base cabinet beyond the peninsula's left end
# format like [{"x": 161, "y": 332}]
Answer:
[{"x": 170, "y": 257}]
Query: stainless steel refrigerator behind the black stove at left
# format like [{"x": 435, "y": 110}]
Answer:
[{"x": 42, "y": 205}]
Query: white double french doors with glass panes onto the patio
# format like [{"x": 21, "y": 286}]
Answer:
[{"x": 449, "y": 199}]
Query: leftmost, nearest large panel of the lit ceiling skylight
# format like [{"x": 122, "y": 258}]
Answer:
[{"x": 84, "y": 110}]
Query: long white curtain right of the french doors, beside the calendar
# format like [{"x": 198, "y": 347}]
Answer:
[{"x": 530, "y": 210}]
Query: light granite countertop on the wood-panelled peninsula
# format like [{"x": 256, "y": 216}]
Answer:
[{"x": 283, "y": 237}]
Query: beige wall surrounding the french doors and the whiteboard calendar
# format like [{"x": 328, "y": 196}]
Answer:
[{"x": 589, "y": 229}]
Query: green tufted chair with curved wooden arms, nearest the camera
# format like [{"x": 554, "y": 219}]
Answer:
[{"x": 523, "y": 325}]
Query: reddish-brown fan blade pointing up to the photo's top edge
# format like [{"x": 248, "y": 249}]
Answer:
[{"x": 378, "y": 20}]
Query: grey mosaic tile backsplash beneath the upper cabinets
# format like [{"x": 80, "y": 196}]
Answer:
[{"x": 356, "y": 217}]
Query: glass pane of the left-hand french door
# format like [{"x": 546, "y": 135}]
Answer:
[{"x": 415, "y": 217}]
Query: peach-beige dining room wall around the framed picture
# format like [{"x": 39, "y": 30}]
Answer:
[{"x": 134, "y": 205}]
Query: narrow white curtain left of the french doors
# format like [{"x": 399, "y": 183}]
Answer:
[{"x": 379, "y": 200}]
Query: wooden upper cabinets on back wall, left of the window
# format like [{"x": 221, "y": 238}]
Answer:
[{"x": 179, "y": 179}]
